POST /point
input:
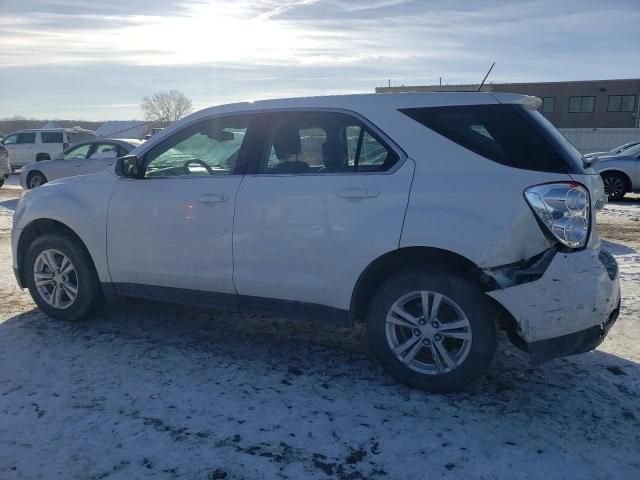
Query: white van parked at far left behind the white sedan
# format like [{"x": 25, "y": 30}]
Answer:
[{"x": 34, "y": 145}]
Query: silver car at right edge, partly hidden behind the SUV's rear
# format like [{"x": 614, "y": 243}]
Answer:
[{"x": 620, "y": 173}]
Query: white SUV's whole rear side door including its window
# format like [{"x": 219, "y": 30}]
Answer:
[{"x": 327, "y": 197}]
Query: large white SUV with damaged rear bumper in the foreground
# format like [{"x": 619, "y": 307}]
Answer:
[{"x": 437, "y": 219}]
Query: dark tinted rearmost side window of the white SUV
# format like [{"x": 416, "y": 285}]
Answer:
[{"x": 502, "y": 133}]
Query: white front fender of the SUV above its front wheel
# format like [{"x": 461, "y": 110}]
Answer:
[{"x": 80, "y": 203}]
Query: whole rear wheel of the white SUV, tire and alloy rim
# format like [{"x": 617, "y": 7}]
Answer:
[{"x": 433, "y": 331}]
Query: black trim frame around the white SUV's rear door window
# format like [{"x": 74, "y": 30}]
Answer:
[{"x": 366, "y": 124}]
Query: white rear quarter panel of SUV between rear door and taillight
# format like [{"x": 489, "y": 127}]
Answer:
[{"x": 464, "y": 203}]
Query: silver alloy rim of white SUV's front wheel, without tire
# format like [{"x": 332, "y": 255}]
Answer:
[{"x": 55, "y": 278}]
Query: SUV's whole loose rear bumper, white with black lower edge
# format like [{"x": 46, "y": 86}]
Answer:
[{"x": 570, "y": 308}]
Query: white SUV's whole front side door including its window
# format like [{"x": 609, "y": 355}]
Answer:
[{"x": 173, "y": 228}]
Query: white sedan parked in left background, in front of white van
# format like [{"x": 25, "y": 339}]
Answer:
[{"x": 81, "y": 159}]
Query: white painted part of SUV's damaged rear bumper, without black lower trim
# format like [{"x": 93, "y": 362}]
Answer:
[{"x": 574, "y": 293}]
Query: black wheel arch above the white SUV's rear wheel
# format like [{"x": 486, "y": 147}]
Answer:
[{"x": 411, "y": 258}]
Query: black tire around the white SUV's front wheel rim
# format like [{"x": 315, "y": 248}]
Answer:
[{"x": 89, "y": 294}]
